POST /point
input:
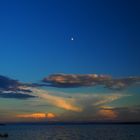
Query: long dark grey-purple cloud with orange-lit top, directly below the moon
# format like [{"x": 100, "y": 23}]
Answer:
[{"x": 75, "y": 80}]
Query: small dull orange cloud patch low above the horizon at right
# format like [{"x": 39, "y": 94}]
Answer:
[{"x": 107, "y": 113}]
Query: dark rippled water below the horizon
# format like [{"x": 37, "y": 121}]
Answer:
[{"x": 71, "y": 132}]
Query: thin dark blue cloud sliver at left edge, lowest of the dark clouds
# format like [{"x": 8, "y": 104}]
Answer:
[{"x": 16, "y": 95}]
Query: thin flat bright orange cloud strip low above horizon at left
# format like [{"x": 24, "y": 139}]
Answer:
[{"x": 37, "y": 115}]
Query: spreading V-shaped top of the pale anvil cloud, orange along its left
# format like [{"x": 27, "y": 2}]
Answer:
[{"x": 76, "y": 102}]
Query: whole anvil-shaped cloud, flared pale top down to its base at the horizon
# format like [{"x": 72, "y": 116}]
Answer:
[{"x": 88, "y": 105}]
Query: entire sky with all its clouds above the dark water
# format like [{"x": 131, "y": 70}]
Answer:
[{"x": 72, "y": 60}]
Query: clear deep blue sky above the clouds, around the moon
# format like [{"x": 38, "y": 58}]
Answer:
[{"x": 35, "y": 37}]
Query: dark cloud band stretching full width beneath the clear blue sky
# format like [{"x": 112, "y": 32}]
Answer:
[{"x": 10, "y": 88}]
